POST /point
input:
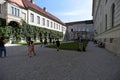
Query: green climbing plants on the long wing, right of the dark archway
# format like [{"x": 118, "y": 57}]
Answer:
[{"x": 33, "y": 31}]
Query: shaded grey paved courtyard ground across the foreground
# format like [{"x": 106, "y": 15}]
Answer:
[{"x": 50, "y": 64}]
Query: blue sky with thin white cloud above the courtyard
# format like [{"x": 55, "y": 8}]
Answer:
[{"x": 68, "y": 10}]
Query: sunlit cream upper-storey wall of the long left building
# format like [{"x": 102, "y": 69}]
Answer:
[{"x": 26, "y": 15}]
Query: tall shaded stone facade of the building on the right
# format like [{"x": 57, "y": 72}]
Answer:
[{"x": 106, "y": 18}]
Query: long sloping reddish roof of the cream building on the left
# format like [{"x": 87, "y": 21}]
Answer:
[{"x": 28, "y": 5}]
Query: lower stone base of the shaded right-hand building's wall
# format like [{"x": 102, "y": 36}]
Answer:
[{"x": 111, "y": 38}]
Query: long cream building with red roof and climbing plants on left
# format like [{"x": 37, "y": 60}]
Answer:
[{"x": 14, "y": 12}]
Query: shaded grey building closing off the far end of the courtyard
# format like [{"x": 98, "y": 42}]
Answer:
[{"x": 80, "y": 30}]
